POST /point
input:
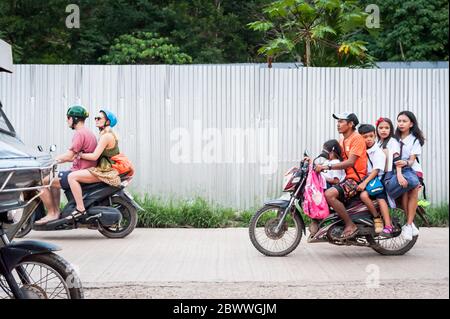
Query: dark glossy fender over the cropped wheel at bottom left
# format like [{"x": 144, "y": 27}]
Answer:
[{"x": 15, "y": 252}]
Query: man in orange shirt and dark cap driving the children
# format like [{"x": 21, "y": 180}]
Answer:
[{"x": 355, "y": 164}]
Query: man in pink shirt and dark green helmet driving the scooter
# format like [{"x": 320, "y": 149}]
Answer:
[{"x": 83, "y": 140}]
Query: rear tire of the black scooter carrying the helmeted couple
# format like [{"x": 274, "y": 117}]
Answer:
[{"x": 129, "y": 213}]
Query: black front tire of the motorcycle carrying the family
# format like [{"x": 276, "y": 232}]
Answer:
[{"x": 271, "y": 253}]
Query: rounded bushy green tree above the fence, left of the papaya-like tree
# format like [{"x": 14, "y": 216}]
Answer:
[{"x": 144, "y": 48}]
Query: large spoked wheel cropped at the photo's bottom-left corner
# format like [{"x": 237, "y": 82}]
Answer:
[{"x": 44, "y": 276}]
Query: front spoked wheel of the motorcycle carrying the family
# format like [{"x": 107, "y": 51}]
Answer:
[{"x": 270, "y": 241}]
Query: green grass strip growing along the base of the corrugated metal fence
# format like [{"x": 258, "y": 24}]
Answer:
[{"x": 199, "y": 213}]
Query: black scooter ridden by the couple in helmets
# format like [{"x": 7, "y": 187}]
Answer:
[{"x": 110, "y": 210}]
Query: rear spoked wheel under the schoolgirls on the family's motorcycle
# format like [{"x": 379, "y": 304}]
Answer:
[{"x": 396, "y": 245}]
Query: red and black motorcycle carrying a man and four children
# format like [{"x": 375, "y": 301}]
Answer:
[{"x": 277, "y": 228}]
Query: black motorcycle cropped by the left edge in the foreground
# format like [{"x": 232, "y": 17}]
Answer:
[{"x": 31, "y": 269}]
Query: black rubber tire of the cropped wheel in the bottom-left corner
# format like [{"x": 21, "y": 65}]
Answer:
[{"x": 61, "y": 270}]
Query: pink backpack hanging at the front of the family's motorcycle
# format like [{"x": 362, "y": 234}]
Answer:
[{"x": 314, "y": 202}]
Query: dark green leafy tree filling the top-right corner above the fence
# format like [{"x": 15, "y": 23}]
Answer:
[{"x": 411, "y": 30}]
